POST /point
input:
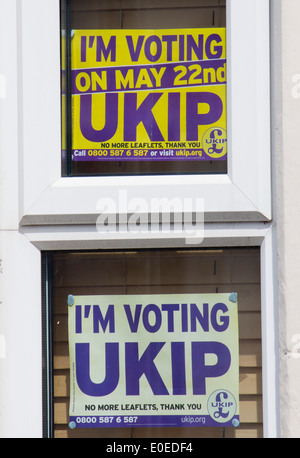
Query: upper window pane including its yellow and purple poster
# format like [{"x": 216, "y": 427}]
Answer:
[{"x": 144, "y": 87}]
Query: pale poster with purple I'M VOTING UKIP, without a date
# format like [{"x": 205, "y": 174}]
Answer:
[{"x": 153, "y": 360}]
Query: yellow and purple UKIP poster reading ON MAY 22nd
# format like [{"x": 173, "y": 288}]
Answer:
[{"x": 149, "y": 95}]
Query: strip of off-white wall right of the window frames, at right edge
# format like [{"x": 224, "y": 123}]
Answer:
[{"x": 286, "y": 112}]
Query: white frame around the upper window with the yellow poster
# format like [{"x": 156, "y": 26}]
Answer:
[{"x": 244, "y": 194}]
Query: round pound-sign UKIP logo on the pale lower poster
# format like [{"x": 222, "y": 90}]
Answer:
[{"x": 221, "y": 406}]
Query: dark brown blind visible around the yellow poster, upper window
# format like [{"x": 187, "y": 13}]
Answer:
[{"x": 133, "y": 14}]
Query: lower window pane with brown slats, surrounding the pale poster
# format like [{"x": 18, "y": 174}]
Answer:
[{"x": 162, "y": 272}]
